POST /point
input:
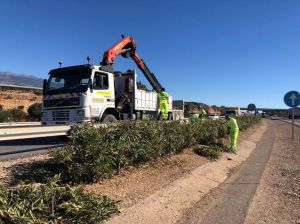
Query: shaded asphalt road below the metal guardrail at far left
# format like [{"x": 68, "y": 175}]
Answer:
[{"x": 36, "y": 145}]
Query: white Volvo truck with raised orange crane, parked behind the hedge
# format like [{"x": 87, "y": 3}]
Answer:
[{"x": 88, "y": 92}]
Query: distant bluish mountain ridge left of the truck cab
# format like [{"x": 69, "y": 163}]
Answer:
[{"x": 9, "y": 78}]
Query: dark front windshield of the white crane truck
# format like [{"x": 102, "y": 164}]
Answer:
[{"x": 68, "y": 81}]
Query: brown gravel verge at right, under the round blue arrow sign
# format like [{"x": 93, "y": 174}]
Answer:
[{"x": 277, "y": 199}]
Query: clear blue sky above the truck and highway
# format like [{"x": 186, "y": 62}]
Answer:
[{"x": 222, "y": 52}]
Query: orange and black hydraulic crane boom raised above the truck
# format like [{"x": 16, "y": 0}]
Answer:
[{"x": 127, "y": 48}]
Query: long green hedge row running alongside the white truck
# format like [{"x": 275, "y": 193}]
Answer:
[{"x": 99, "y": 151}]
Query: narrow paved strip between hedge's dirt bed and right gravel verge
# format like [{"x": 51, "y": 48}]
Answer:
[{"x": 228, "y": 204}]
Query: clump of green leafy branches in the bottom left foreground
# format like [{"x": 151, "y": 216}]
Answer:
[{"x": 52, "y": 203}]
